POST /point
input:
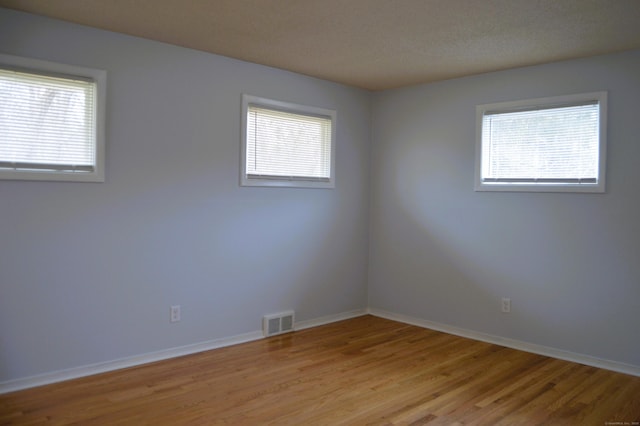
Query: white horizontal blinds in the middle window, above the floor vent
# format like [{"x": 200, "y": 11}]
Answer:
[{"x": 287, "y": 145}]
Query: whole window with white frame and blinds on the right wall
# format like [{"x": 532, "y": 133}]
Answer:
[{"x": 547, "y": 145}]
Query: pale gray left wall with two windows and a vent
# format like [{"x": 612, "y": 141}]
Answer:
[{"x": 88, "y": 271}]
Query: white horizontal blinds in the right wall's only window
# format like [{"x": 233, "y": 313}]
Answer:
[{"x": 544, "y": 144}]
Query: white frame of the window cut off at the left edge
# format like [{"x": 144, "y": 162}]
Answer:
[{"x": 99, "y": 77}]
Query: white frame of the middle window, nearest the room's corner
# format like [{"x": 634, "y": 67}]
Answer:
[{"x": 255, "y": 180}]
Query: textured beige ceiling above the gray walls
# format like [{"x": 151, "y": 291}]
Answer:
[{"x": 373, "y": 44}]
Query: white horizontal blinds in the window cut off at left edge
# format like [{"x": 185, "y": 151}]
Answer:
[{"x": 47, "y": 122}]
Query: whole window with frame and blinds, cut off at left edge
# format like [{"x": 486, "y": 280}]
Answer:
[{"x": 51, "y": 121}]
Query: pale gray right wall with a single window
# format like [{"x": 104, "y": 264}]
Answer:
[{"x": 444, "y": 253}]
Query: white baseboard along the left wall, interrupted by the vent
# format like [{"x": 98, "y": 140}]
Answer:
[{"x": 103, "y": 367}]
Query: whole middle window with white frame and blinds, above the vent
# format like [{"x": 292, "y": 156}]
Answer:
[{"x": 285, "y": 144}]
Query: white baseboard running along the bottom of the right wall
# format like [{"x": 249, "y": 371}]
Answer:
[{"x": 619, "y": 367}]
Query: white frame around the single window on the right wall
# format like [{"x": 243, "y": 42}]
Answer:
[{"x": 541, "y": 186}]
